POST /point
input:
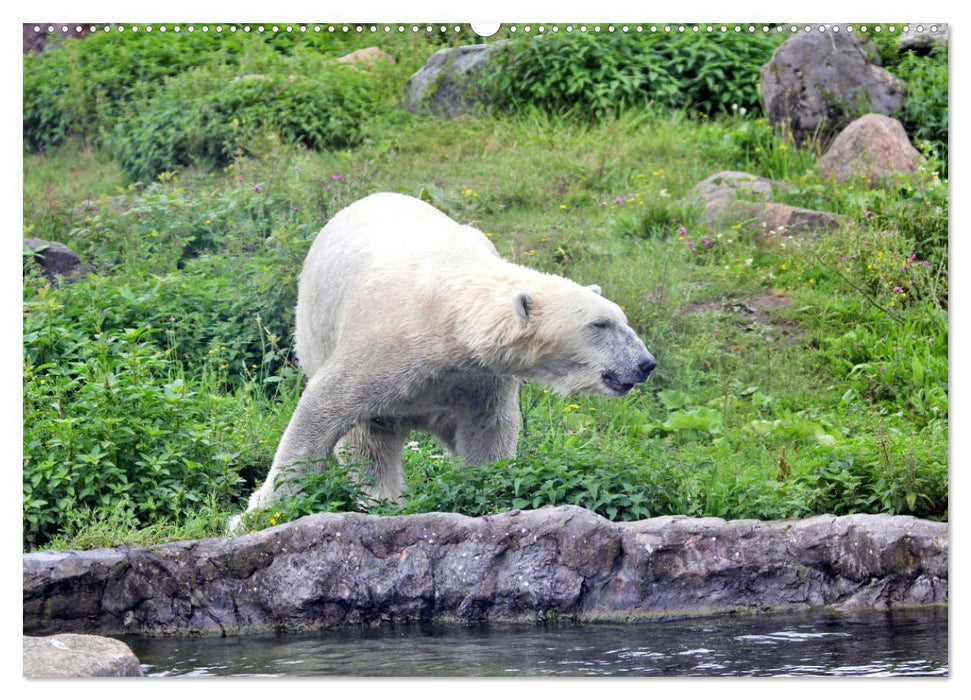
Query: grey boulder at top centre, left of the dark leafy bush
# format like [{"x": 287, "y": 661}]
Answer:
[{"x": 447, "y": 84}]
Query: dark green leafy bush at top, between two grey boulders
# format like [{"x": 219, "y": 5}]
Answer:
[{"x": 599, "y": 76}]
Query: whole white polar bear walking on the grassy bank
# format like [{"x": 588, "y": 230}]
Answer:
[{"x": 407, "y": 320}]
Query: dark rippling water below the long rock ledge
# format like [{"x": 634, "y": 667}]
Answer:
[{"x": 899, "y": 643}]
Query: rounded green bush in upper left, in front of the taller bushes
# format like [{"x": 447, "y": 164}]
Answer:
[{"x": 208, "y": 117}]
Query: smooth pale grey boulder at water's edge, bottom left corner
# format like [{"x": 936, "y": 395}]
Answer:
[{"x": 78, "y": 656}]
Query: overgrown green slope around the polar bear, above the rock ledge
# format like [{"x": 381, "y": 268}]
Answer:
[{"x": 791, "y": 381}]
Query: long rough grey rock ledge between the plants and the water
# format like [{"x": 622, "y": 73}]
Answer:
[{"x": 327, "y": 570}]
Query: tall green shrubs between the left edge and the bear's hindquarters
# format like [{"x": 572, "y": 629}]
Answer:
[{"x": 138, "y": 394}]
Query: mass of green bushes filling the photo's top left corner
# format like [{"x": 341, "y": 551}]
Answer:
[{"x": 87, "y": 87}]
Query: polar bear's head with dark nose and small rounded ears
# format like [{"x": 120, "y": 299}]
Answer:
[{"x": 578, "y": 341}]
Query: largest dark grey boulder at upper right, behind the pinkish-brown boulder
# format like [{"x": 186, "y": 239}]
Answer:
[{"x": 816, "y": 82}]
